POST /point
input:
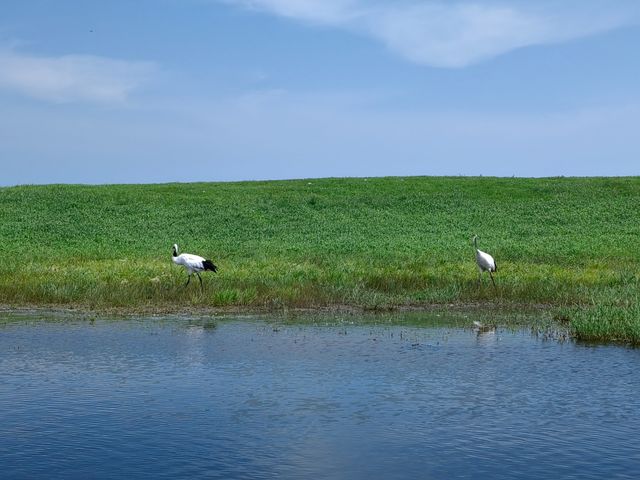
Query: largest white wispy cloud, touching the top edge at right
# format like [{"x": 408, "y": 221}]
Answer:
[{"x": 457, "y": 33}]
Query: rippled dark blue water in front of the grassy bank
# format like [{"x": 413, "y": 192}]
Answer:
[{"x": 245, "y": 398}]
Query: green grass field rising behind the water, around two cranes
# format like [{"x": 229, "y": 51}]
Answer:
[{"x": 567, "y": 245}]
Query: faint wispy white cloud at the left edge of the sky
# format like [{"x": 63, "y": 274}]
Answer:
[{"x": 72, "y": 78}]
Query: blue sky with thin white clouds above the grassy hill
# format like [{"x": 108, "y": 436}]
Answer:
[{"x": 208, "y": 90}]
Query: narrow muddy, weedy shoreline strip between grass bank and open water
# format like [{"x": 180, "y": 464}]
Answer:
[{"x": 537, "y": 320}]
